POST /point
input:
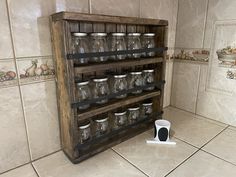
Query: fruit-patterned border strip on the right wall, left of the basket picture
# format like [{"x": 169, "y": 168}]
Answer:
[{"x": 192, "y": 54}]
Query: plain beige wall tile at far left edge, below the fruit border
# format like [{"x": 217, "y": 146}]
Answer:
[{"x": 14, "y": 148}]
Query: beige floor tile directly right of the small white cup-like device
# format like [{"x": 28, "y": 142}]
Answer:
[{"x": 188, "y": 127}]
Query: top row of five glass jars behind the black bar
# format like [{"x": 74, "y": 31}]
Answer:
[{"x": 102, "y": 42}]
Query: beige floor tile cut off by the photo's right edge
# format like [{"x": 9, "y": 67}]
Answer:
[{"x": 224, "y": 145}]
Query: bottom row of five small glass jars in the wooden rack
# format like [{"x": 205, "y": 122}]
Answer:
[{"x": 104, "y": 123}]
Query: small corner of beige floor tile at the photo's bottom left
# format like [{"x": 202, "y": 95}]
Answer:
[{"x": 24, "y": 171}]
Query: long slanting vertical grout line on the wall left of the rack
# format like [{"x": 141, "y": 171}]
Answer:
[{"x": 18, "y": 79}]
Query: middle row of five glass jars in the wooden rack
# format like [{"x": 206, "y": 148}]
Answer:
[{"x": 103, "y": 86}]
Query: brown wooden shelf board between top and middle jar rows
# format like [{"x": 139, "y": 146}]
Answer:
[{"x": 118, "y": 64}]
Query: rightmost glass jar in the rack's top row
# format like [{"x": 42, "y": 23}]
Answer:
[{"x": 148, "y": 41}]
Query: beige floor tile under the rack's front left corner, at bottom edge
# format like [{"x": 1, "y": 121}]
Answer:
[{"x": 105, "y": 164}]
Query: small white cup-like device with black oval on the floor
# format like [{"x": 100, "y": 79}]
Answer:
[{"x": 161, "y": 133}]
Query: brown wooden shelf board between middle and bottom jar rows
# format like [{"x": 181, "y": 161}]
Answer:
[{"x": 114, "y": 104}]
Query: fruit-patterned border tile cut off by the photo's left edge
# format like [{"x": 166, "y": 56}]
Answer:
[{"x": 8, "y": 76}]
